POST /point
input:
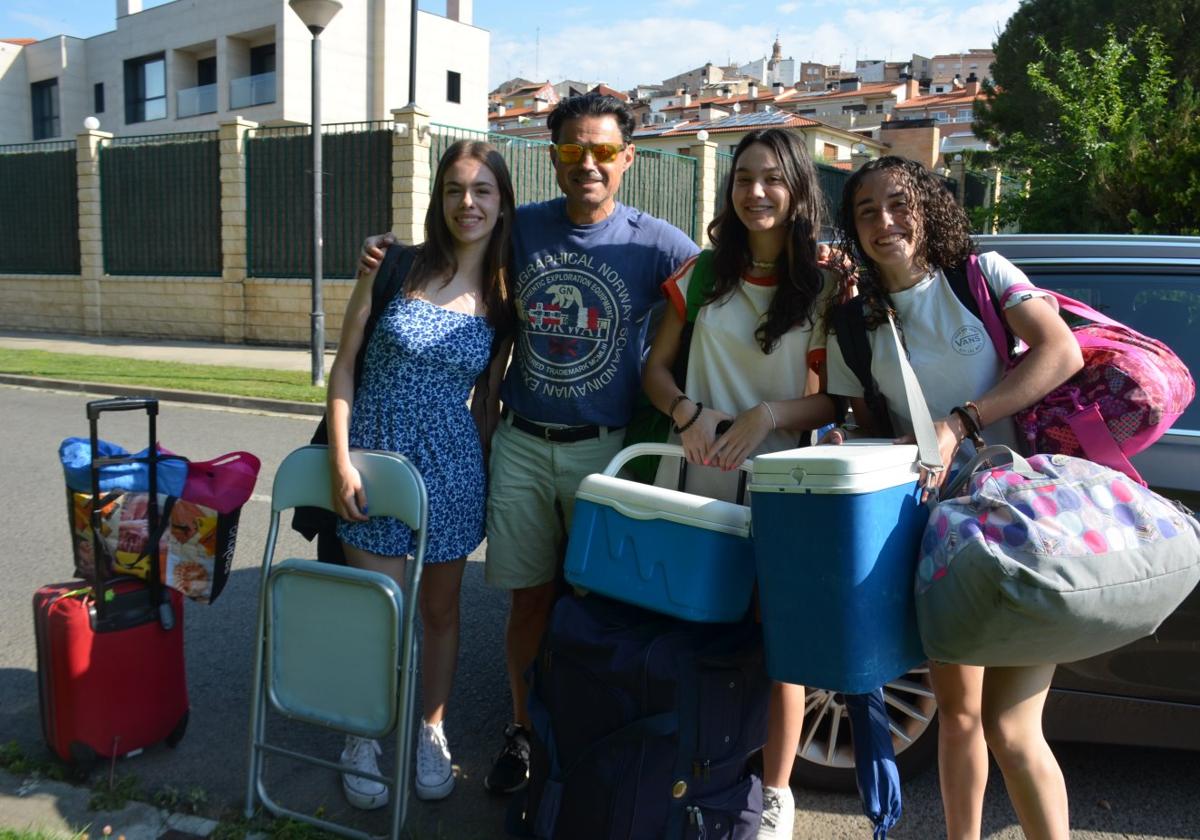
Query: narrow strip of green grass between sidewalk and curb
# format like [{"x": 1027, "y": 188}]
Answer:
[{"x": 248, "y": 382}]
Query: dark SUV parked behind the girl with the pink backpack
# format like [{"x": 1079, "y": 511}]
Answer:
[{"x": 1145, "y": 694}]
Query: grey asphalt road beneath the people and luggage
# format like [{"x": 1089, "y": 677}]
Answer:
[{"x": 1115, "y": 793}]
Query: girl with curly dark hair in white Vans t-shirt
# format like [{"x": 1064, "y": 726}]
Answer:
[{"x": 904, "y": 231}]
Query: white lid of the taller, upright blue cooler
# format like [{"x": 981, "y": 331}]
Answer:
[{"x": 855, "y": 467}]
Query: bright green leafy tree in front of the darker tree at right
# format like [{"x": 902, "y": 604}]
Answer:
[{"x": 1114, "y": 145}]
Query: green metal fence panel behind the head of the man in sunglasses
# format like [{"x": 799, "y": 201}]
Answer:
[{"x": 662, "y": 184}]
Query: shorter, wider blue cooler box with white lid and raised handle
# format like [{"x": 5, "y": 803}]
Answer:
[{"x": 682, "y": 555}]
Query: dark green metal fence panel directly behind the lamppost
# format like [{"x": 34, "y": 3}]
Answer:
[{"x": 356, "y": 196}]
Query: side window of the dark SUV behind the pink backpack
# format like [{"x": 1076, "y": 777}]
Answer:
[{"x": 1165, "y": 307}]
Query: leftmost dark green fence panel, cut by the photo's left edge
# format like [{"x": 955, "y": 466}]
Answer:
[{"x": 39, "y": 209}]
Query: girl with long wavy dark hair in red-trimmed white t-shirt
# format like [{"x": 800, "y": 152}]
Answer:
[{"x": 757, "y": 351}]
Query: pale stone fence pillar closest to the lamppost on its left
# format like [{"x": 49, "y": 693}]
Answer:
[{"x": 232, "y": 139}]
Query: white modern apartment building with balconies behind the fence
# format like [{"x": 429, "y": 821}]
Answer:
[{"x": 191, "y": 64}]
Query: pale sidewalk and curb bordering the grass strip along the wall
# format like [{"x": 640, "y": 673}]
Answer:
[{"x": 193, "y": 352}]
